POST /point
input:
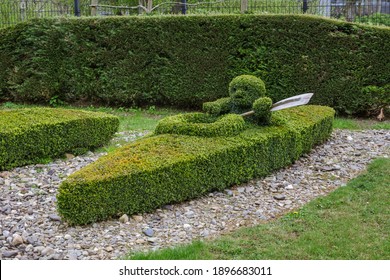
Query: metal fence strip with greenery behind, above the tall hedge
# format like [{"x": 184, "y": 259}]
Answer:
[{"x": 367, "y": 11}]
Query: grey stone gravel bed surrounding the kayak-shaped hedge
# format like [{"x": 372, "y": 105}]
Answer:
[{"x": 30, "y": 227}]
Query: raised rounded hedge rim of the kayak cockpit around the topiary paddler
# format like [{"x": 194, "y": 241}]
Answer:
[{"x": 199, "y": 124}]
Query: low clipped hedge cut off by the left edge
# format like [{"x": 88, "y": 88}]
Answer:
[{"x": 30, "y": 135}]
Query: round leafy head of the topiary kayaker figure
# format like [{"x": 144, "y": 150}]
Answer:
[{"x": 245, "y": 89}]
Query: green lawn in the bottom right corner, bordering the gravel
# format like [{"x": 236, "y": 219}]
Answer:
[{"x": 353, "y": 222}]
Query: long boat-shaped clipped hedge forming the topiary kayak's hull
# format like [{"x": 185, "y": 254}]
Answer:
[{"x": 163, "y": 169}]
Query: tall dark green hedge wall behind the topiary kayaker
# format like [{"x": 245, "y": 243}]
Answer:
[{"x": 185, "y": 61}]
